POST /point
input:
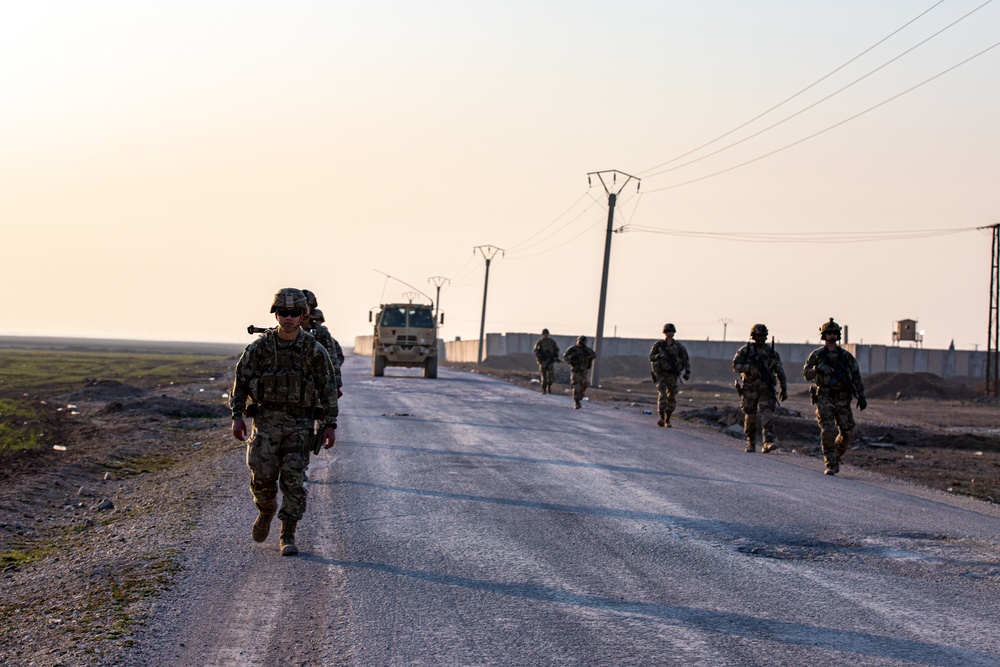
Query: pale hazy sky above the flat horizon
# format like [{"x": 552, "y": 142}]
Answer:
[{"x": 166, "y": 167}]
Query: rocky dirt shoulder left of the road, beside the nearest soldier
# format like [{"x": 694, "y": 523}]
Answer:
[{"x": 91, "y": 533}]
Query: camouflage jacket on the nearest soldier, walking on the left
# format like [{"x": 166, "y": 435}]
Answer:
[{"x": 304, "y": 365}]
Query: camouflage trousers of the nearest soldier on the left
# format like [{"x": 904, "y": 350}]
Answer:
[{"x": 277, "y": 455}]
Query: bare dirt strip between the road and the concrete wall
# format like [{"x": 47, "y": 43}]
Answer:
[{"x": 919, "y": 427}]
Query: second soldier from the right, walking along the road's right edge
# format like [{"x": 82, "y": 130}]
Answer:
[{"x": 759, "y": 366}]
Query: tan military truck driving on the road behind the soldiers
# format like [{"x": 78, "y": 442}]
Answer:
[{"x": 405, "y": 335}]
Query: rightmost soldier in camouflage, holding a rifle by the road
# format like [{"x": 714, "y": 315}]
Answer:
[{"x": 835, "y": 374}]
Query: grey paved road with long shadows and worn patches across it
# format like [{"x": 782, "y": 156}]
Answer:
[{"x": 465, "y": 521}]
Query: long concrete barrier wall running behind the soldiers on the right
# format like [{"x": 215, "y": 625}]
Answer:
[{"x": 871, "y": 358}]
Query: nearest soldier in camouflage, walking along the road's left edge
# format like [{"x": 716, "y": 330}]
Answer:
[{"x": 284, "y": 380}]
